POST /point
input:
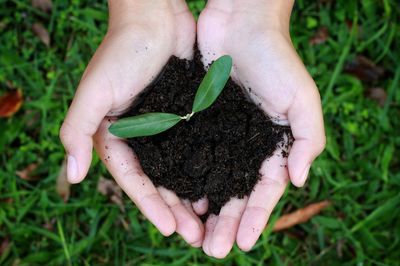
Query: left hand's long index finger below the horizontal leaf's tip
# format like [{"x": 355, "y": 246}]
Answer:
[{"x": 124, "y": 167}]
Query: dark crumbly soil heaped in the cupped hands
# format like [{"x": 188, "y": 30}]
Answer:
[{"x": 218, "y": 153}]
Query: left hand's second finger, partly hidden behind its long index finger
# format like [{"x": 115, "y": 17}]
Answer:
[{"x": 187, "y": 225}]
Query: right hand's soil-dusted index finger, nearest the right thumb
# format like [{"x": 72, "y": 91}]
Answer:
[{"x": 266, "y": 194}]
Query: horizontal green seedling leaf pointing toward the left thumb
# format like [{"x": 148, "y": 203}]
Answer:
[{"x": 143, "y": 125}]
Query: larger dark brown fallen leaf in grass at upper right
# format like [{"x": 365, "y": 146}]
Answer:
[{"x": 364, "y": 69}]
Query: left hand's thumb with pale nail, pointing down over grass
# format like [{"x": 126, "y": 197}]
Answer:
[{"x": 89, "y": 107}]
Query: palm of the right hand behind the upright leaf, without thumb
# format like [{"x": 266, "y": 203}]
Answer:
[{"x": 262, "y": 62}]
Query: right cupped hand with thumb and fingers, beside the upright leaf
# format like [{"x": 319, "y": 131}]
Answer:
[{"x": 256, "y": 35}]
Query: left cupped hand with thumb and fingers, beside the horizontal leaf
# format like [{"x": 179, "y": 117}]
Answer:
[{"x": 142, "y": 36}]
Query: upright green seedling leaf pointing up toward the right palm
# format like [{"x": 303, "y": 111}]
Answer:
[{"x": 213, "y": 83}]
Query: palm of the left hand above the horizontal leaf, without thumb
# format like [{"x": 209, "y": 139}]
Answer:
[{"x": 129, "y": 59}]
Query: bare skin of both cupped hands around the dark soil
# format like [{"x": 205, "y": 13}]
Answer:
[{"x": 142, "y": 35}]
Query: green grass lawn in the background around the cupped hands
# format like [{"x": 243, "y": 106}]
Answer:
[{"x": 358, "y": 172}]
